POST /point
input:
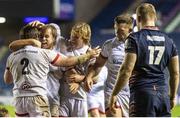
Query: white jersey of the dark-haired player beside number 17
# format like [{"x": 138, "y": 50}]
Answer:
[{"x": 114, "y": 51}]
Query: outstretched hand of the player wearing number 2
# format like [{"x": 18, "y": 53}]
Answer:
[{"x": 94, "y": 52}]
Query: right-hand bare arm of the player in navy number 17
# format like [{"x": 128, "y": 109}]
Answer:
[{"x": 173, "y": 68}]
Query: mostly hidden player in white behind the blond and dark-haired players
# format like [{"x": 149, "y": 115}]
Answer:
[{"x": 95, "y": 98}]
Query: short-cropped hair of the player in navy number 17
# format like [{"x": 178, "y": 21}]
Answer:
[{"x": 146, "y": 11}]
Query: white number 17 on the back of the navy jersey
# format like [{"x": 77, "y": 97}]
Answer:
[{"x": 155, "y": 60}]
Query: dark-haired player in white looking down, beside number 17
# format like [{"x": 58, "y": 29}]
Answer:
[{"x": 113, "y": 54}]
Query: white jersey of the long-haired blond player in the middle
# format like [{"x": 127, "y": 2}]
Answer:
[{"x": 64, "y": 88}]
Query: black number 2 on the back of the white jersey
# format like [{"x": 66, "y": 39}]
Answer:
[{"x": 25, "y": 63}]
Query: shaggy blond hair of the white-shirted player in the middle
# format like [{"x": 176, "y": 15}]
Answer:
[{"x": 82, "y": 29}]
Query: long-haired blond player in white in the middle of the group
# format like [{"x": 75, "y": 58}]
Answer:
[{"x": 73, "y": 97}]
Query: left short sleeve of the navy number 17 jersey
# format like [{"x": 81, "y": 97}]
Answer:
[{"x": 130, "y": 45}]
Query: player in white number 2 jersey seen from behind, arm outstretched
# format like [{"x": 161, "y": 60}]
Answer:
[{"x": 28, "y": 67}]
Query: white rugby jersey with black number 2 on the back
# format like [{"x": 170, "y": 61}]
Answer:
[{"x": 29, "y": 67}]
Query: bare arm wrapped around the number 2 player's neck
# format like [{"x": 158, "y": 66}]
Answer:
[{"x": 18, "y": 44}]
